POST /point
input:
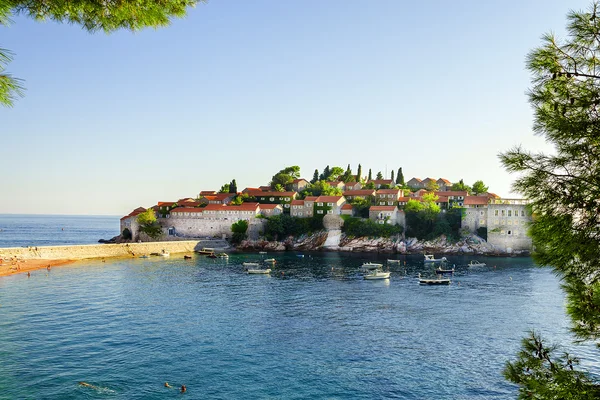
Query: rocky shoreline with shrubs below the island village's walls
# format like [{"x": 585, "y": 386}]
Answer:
[{"x": 471, "y": 244}]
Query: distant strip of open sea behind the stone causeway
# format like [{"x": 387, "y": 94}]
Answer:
[{"x": 55, "y": 230}]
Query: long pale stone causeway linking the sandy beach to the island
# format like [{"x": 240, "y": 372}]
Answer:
[{"x": 81, "y": 252}]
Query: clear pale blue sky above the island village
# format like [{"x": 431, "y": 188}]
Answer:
[{"x": 240, "y": 90}]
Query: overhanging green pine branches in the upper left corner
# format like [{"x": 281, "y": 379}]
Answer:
[{"x": 92, "y": 15}]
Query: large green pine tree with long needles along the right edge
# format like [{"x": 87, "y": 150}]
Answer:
[{"x": 563, "y": 188}]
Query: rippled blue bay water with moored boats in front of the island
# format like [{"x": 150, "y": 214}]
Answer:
[{"x": 313, "y": 329}]
